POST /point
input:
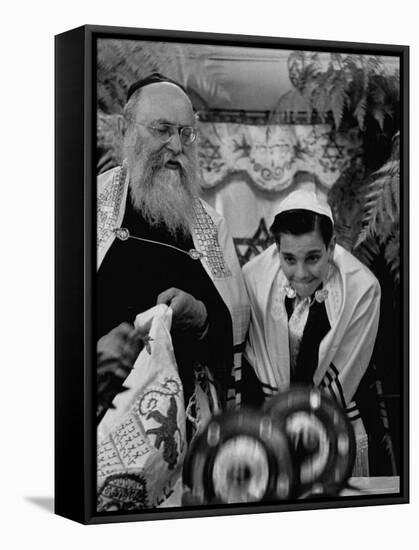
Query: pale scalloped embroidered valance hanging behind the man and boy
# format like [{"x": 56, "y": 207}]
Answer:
[{"x": 271, "y": 155}]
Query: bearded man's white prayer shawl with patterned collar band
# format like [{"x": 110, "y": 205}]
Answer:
[{"x": 210, "y": 236}]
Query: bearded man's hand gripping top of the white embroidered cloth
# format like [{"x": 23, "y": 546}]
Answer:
[{"x": 189, "y": 314}]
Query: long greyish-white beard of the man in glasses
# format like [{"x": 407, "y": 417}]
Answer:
[{"x": 164, "y": 197}]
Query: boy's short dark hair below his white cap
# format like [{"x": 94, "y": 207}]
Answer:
[{"x": 299, "y": 222}]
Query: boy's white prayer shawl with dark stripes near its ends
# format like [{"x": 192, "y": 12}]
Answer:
[{"x": 352, "y": 306}]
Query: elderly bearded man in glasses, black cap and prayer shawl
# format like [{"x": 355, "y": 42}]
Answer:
[{"x": 153, "y": 200}]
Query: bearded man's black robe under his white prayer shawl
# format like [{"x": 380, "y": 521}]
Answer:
[{"x": 133, "y": 274}]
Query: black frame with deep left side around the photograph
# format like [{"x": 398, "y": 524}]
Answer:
[{"x": 75, "y": 242}]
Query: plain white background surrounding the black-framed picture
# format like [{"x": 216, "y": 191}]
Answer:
[{"x": 27, "y": 273}]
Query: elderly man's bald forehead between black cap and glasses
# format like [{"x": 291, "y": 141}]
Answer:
[{"x": 165, "y": 101}]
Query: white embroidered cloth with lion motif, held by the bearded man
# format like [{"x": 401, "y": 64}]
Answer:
[{"x": 141, "y": 442}]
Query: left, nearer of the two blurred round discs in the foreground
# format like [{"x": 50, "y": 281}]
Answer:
[{"x": 239, "y": 457}]
